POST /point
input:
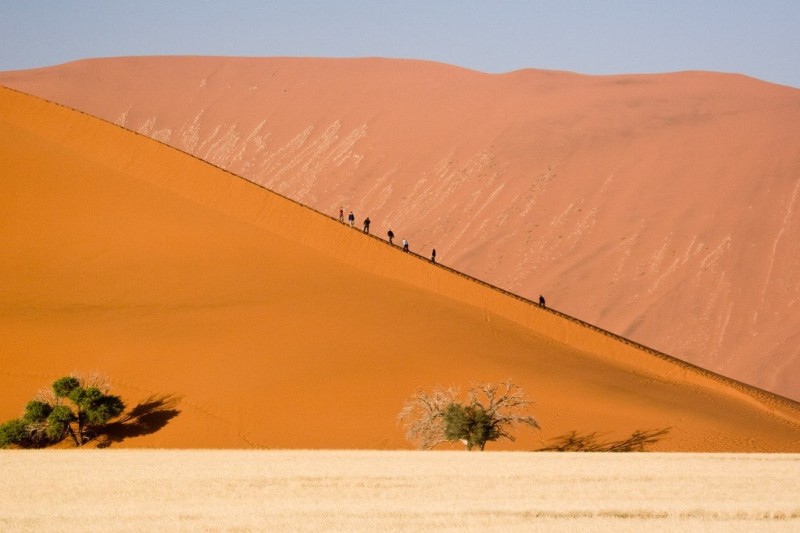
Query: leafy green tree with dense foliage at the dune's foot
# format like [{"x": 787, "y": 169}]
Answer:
[{"x": 74, "y": 408}]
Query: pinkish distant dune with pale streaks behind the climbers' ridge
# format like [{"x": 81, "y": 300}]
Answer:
[{"x": 663, "y": 208}]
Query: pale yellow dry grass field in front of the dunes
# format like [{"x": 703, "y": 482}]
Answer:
[{"x": 139, "y": 490}]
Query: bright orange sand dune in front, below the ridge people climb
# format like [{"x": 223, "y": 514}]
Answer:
[{"x": 267, "y": 324}]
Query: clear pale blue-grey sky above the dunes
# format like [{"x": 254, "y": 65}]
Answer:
[{"x": 758, "y": 38}]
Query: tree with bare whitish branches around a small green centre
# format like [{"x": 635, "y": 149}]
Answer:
[{"x": 488, "y": 415}]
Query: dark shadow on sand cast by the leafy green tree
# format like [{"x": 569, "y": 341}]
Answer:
[{"x": 147, "y": 417}]
